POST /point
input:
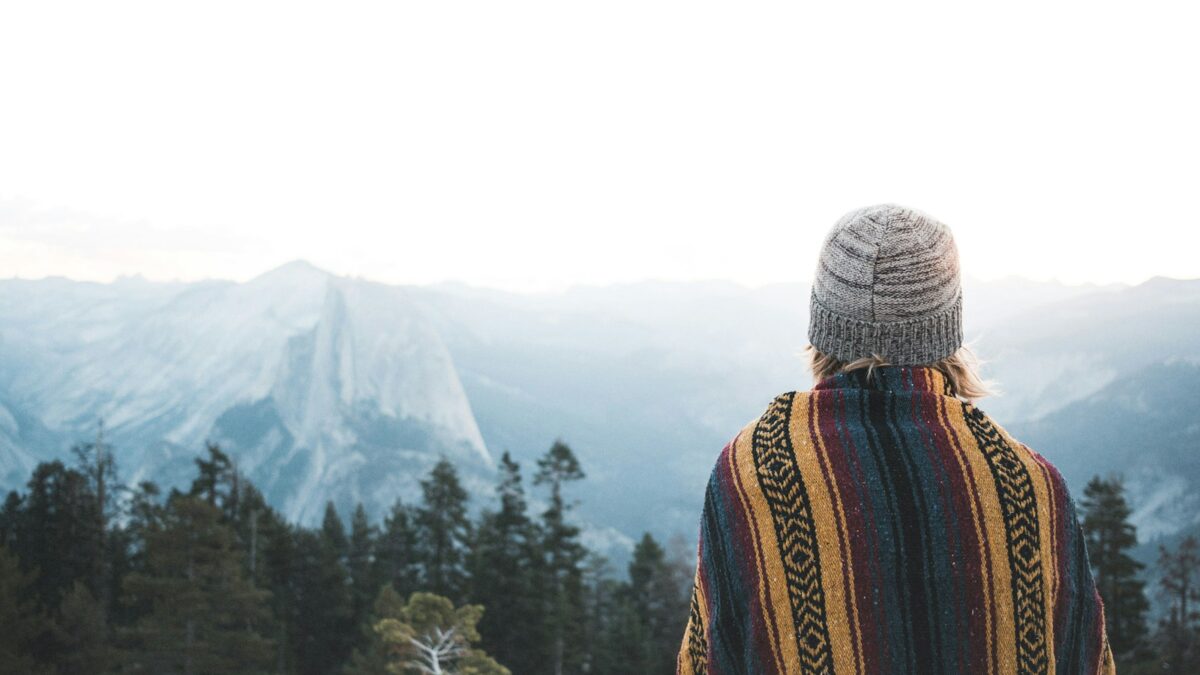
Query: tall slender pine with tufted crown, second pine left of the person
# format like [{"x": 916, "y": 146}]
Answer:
[{"x": 565, "y": 557}]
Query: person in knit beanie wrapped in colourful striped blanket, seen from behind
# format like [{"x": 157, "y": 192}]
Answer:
[{"x": 881, "y": 523}]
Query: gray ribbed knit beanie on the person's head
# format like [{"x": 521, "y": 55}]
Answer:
[{"x": 887, "y": 283}]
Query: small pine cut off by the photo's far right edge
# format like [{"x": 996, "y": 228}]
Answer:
[{"x": 1180, "y": 584}]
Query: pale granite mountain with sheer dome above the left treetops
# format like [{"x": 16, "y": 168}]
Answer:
[{"x": 321, "y": 387}]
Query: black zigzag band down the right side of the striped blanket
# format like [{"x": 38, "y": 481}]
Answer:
[{"x": 1018, "y": 505}]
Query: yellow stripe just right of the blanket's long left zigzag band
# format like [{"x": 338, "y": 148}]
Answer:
[{"x": 827, "y": 516}]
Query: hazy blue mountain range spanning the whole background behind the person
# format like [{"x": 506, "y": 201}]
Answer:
[{"x": 333, "y": 389}]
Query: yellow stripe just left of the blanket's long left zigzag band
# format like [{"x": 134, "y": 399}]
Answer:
[{"x": 772, "y": 568}]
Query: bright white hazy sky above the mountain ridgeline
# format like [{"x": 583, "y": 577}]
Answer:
[{"x": 538, "y": 145}]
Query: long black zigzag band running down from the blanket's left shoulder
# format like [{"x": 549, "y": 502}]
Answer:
[{"x": 779, "y": 479}]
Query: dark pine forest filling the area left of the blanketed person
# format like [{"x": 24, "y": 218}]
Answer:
[{"x": 98, "y": 577}]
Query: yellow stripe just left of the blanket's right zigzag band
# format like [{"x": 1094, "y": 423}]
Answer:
[{"x": 998, "y": 543}]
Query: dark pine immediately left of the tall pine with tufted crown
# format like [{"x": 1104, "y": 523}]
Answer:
[{"x": 505, "y": 577}]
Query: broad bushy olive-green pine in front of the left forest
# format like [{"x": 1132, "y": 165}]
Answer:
[{"x": 205, "y": 616}]
